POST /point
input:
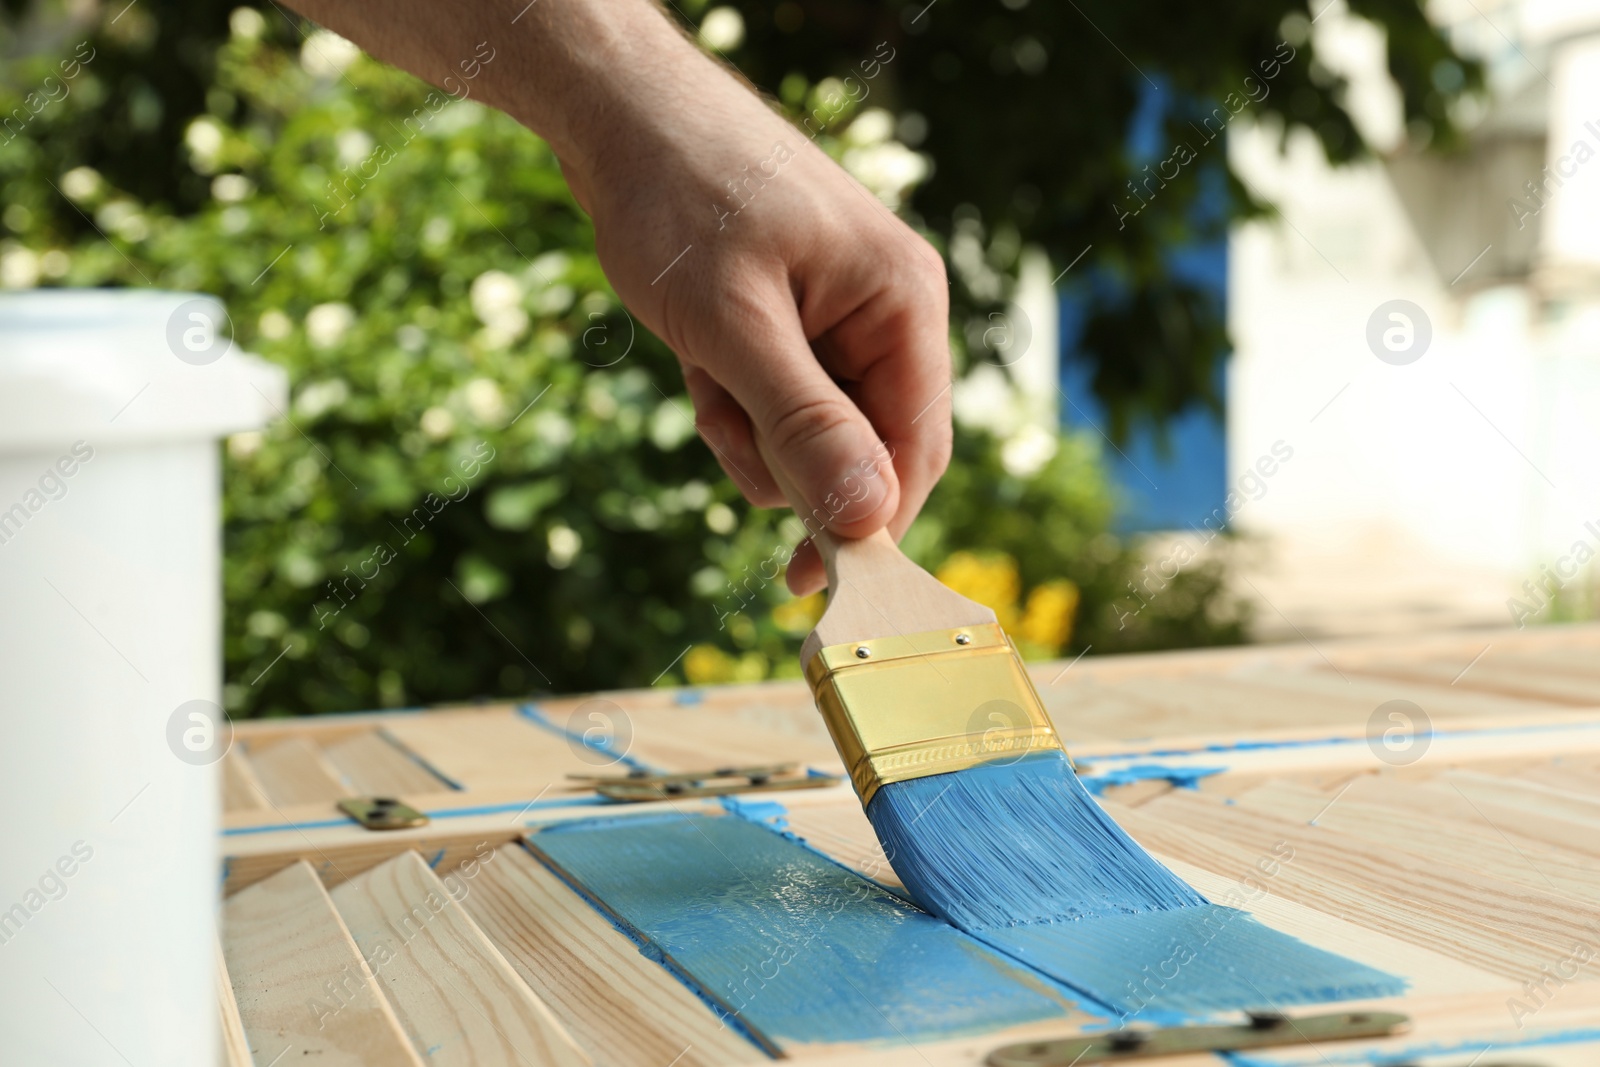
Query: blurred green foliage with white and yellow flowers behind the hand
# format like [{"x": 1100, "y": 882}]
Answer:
[{"x": 487, "y": 482}]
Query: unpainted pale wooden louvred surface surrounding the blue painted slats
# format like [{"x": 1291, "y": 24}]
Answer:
[{"x": 1465, "y": 863}]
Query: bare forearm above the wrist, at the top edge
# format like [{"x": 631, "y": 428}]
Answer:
[{"x": 578, "y": 73}]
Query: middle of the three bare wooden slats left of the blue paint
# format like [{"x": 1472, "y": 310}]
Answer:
[{"x": 457, "y": 997}]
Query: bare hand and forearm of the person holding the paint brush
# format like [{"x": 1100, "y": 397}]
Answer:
[{"x": 814, "y": 319}]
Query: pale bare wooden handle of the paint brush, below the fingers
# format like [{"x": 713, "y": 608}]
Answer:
[{"x": 874, "y": 591}]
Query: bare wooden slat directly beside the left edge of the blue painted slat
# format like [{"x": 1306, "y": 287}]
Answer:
[{"x": 622, "y": 1007}]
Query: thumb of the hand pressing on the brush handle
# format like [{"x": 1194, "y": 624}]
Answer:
[{"x": 818, "y": 446}]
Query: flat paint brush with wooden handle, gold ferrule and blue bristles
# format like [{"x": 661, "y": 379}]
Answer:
[{"x": 956, "y": 762}]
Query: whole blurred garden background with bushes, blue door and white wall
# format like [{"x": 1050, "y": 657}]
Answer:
[{"x": 1271, "y": 324}]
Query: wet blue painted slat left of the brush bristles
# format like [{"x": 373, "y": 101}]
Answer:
[{"x": 791, "y": 943}]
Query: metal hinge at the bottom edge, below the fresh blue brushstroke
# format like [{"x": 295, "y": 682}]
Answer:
[{"x": 1265, "y": 1029}]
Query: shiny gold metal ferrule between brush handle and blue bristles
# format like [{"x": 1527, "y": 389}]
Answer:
[{"x": 934, "y": 703}]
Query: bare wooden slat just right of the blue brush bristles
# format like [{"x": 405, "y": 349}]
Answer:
[{"x": 1505, "y": 933}]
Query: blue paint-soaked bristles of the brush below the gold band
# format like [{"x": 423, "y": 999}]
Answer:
[{"x": 1018, "y": 842}]
